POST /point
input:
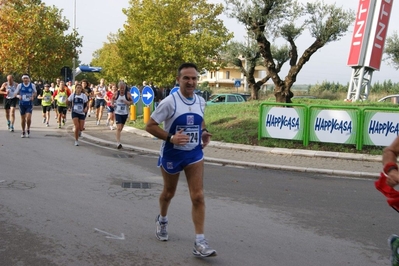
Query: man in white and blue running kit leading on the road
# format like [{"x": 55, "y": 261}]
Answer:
[{"x": 184, "y": 136}]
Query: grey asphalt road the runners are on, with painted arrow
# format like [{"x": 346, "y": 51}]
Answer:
[{"x": 58, "y": 204}]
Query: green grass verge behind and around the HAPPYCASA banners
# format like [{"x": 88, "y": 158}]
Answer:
[{"x": 238, "y": 123}]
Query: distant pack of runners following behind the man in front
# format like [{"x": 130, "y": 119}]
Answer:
[{"x": 80, "y": 99}]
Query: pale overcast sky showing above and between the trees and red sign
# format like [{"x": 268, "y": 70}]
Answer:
[{"x": 95, "y": 19}]
